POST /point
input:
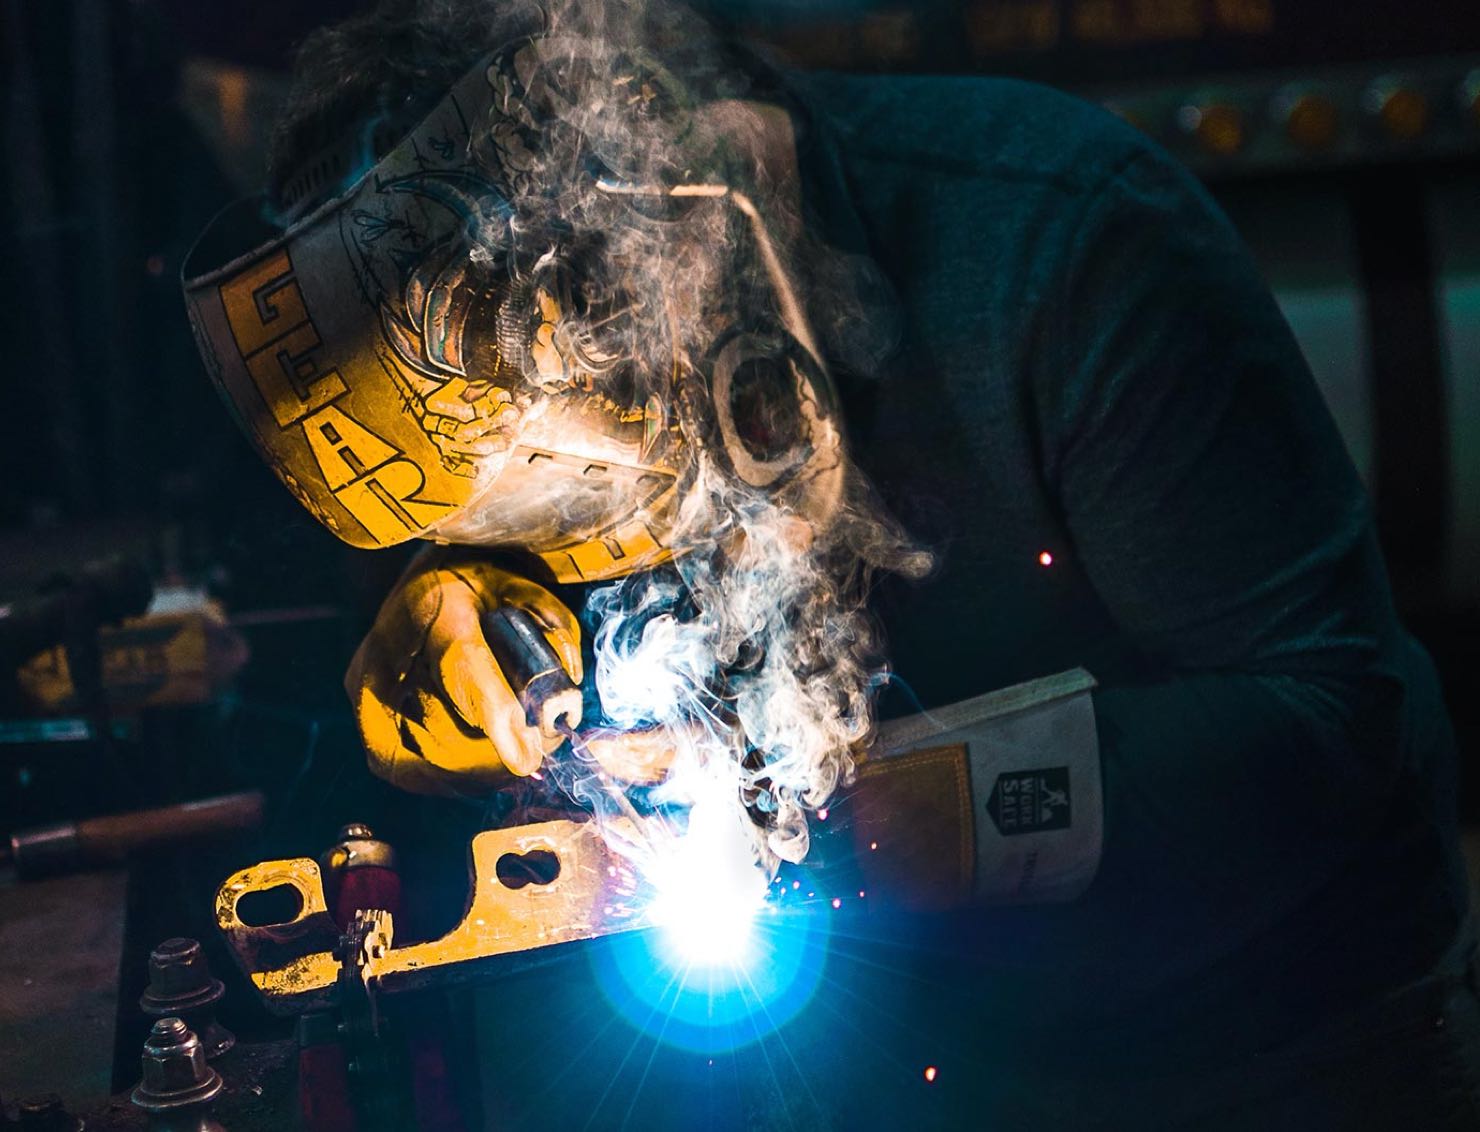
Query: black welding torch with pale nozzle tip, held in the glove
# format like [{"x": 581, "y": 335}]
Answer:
[{"x": 550, "y": 699}]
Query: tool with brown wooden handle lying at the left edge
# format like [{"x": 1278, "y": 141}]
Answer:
[{"x": 112, "y": 840}]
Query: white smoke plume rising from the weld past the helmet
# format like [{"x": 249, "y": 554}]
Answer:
[{"x": 754, "y": 646}]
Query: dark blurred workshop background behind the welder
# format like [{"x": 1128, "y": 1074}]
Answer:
[{"x": 1343, "y": 138}]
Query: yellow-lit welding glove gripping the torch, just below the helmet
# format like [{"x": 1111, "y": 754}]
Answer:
[{"x": 434, "y": 711}]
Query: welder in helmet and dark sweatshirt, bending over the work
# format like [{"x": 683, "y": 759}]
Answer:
[{"x": 1091, "y": 415}]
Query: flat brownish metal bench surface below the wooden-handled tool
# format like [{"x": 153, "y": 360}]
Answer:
[{"x": 61, "y": 943}]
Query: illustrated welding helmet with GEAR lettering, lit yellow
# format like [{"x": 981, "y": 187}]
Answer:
[{"x": 423, "y": 354}]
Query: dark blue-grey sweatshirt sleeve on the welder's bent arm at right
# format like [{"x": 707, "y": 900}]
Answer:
[{"x": 1213, "y": 507}]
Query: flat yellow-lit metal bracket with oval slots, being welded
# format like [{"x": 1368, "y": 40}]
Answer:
[{"x": 294, "y": 966}]
